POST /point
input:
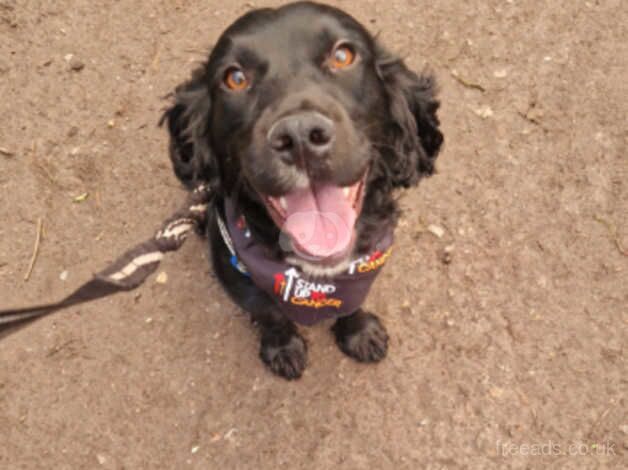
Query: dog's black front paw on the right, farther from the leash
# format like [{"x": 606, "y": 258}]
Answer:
[{"x": 361, "y": 336}]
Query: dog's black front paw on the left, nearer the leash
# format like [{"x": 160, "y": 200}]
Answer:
[{"x": 284, "y": 352}]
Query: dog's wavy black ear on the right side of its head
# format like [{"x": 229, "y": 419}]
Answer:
[{"x": 415, "y": 126}]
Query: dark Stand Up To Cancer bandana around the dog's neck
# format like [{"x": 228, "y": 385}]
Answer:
[{"x": 304, "y": 299}]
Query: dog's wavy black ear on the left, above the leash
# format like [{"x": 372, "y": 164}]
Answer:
[{"x": 188, "y": 124}]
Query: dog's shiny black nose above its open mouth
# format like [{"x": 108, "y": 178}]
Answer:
[{"x": 299, "y": 137}]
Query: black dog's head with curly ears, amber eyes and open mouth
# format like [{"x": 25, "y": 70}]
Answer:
[{"x": 303, "y": 119}]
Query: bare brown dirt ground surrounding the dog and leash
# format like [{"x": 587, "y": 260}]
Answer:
[{"x": 512, "y": 355}]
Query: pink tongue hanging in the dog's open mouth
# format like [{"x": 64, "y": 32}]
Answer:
[{"x": 320, "y": 220}]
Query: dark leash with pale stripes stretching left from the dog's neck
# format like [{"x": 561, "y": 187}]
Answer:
[{"x": 131, "y": 269}]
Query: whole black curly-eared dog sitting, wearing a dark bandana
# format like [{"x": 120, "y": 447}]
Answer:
[{"x": 304, "y": 126}]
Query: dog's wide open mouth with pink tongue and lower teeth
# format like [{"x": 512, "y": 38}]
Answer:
[{"x": 319, "y": 219}]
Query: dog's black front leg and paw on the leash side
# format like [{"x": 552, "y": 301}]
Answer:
[{"x": 282, "y": 348}]
